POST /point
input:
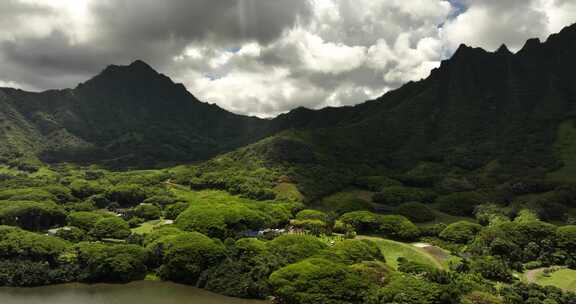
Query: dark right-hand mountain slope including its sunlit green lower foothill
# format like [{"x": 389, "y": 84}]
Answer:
[{"x": 479, "y": 111}]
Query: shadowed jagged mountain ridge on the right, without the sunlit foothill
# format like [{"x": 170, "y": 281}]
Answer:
[{"x": 477, "y": 107}]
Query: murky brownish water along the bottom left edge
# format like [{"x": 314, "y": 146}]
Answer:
[{"x": 144, "y": 292}]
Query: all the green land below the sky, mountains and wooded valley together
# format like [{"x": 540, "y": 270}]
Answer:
[{"x": 452, "y": 189}]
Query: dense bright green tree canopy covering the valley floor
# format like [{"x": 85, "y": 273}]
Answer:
[{"x": 97, "y": 226}]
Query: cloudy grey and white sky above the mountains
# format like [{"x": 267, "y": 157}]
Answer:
[{"x": 262, "y": 57}]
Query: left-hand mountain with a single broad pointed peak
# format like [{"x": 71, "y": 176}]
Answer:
[{"x": 127, "y": 115}]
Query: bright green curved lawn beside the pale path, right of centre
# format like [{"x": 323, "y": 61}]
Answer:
[{"x": 392, "y": 250}]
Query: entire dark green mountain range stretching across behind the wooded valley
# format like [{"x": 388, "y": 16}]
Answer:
[{"x": 479, "y": 110}]
